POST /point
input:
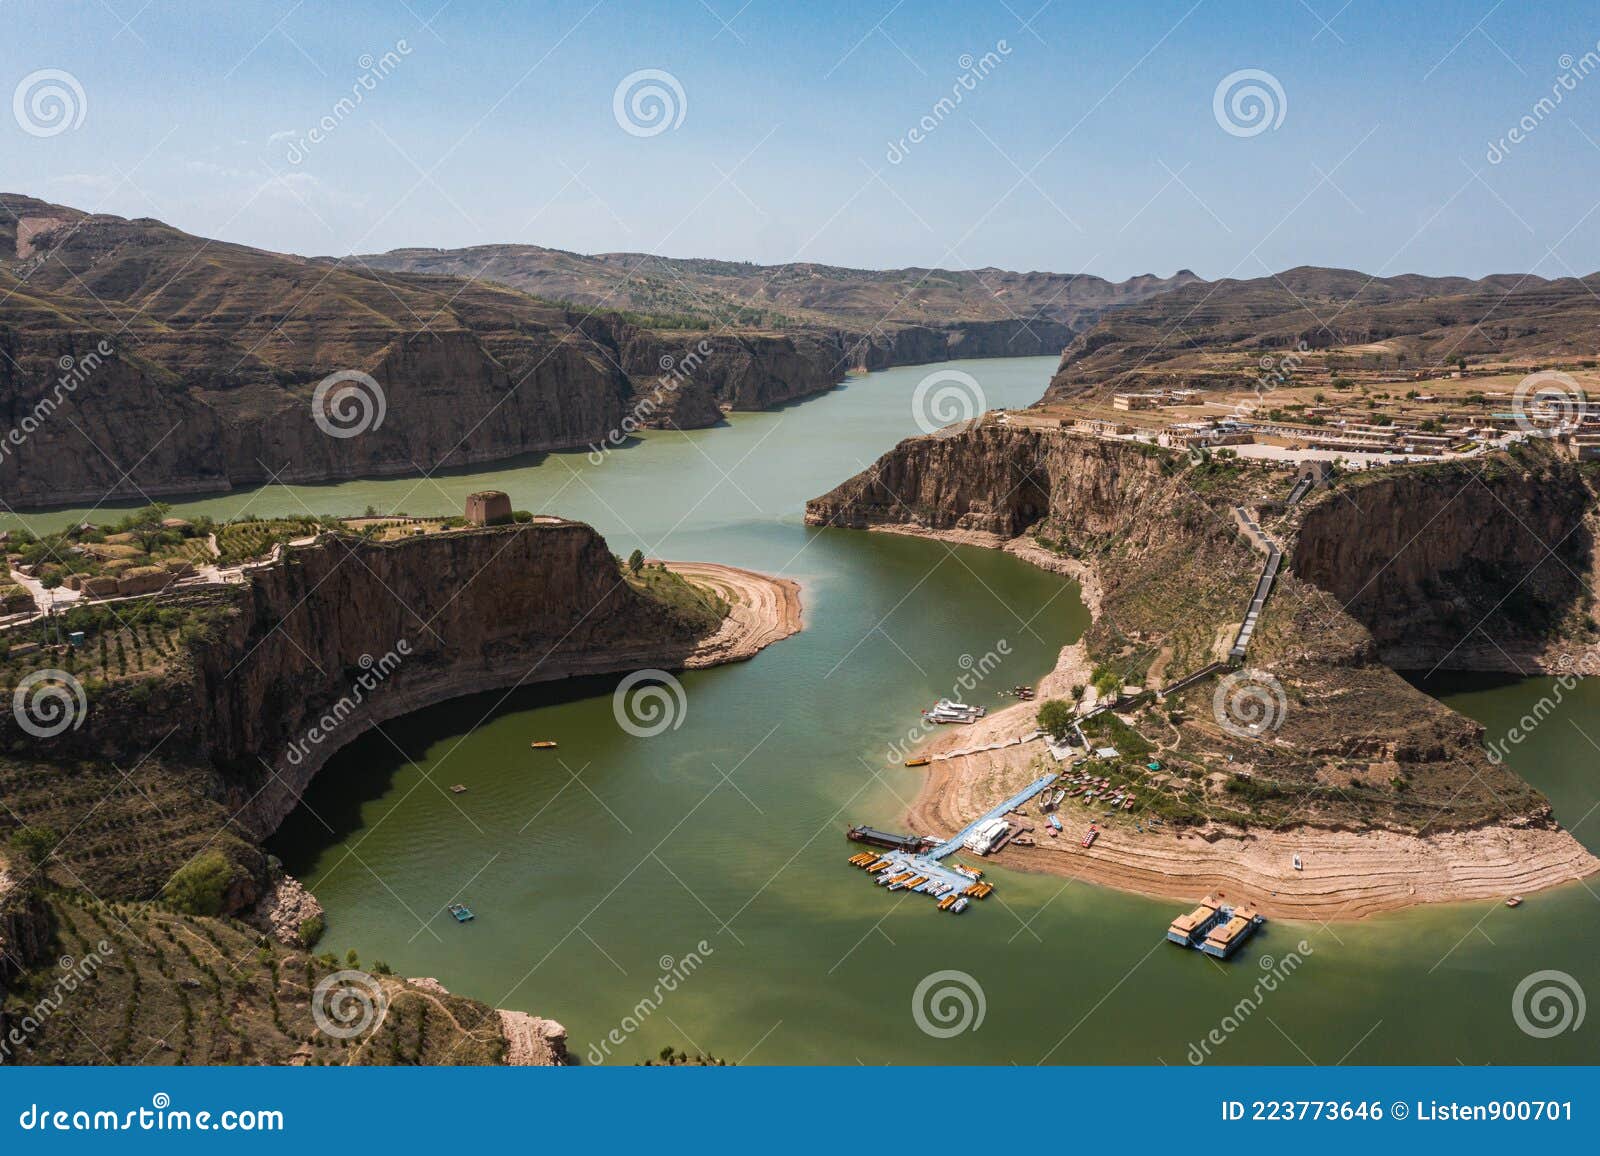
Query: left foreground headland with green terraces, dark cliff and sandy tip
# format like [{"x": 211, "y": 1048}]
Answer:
[{"x": 151, "y": 808}]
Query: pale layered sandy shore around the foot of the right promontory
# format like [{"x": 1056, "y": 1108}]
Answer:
[{"x": 1346, "y": 875}]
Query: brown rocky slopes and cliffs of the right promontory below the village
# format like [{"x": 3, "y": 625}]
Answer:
[{"x": 1353, "y": 744}]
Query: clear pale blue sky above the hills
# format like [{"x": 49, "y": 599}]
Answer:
[{"x": 1092, "y": 143}]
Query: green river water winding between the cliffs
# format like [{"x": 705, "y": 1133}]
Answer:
[{"x": 601, "y": 870}]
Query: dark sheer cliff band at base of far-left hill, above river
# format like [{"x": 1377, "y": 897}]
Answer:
[{"x": 449, "y": 399}]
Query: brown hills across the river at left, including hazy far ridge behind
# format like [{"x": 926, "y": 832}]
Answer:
[{"x": 217, "y": 350}]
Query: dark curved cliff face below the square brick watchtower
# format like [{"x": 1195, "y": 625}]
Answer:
[{"x": 436, "y": 617}]
